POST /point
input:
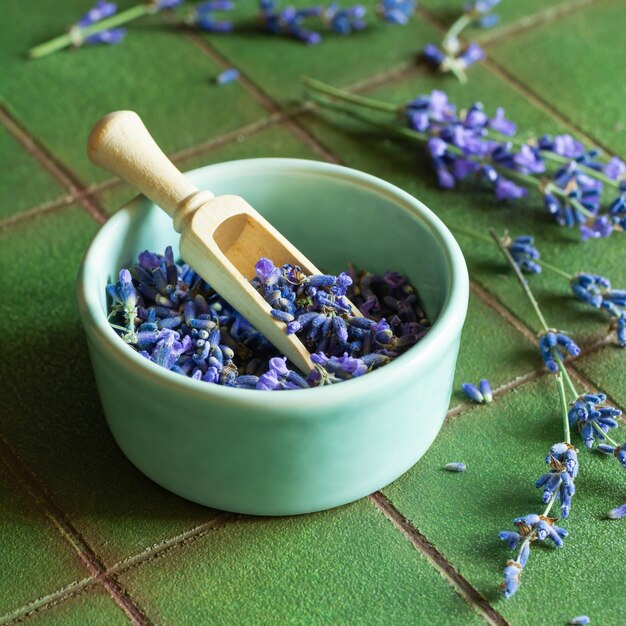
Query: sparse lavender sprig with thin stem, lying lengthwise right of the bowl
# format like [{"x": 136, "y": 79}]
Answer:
[{"x": 593, "y": 418}]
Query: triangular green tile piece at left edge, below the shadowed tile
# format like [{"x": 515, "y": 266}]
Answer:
[{"x": 34, "y": 557}]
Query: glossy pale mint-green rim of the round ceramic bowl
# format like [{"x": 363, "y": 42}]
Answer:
[{"x": 445, "y": 327}]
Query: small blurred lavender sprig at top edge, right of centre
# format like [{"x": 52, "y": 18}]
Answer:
[{"x": 450, "y": 56}]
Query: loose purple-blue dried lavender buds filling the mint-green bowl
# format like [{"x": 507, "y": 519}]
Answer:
[{"x": 171, "y": 316}]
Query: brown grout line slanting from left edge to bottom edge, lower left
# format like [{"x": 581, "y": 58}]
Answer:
[{"x": 84, "y": 552}]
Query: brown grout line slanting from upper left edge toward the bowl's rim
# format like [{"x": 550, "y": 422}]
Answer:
[{"x": 51, "y": 164}]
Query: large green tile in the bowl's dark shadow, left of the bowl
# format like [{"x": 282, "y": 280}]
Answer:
[{"x": 60, "y": 430}]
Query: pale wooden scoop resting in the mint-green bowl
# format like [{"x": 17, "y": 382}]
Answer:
[{"x": 221, "y": 238}]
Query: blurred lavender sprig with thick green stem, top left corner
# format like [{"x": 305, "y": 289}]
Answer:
[{"x": 99, "y": 25}]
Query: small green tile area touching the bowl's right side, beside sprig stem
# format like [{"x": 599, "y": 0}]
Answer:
[{"x": 490, "y": 348}]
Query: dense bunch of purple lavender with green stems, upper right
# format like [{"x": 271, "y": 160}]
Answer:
[{"x": 571, "y": 180}]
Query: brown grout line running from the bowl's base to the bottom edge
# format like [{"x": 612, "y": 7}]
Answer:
[{"x": 471, "y": 595}]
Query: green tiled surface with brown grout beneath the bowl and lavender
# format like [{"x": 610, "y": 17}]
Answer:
[{"x": 86, "y": 539}]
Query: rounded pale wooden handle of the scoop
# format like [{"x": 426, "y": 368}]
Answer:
[{"x": 121, "y": 144}]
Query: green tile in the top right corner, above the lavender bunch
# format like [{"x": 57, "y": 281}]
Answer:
[{"x": 578, "y": 80}]
